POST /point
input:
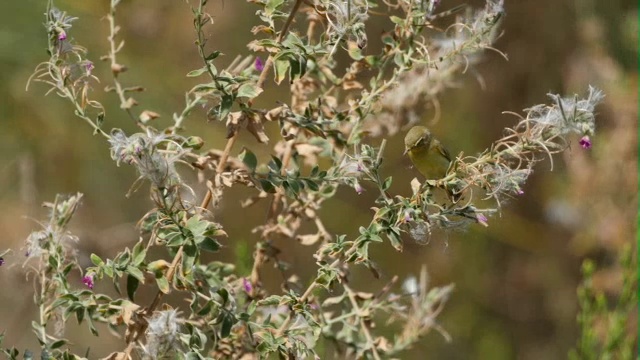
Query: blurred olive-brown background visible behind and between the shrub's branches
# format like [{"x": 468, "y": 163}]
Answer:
[{"x": 516, "y": 280}]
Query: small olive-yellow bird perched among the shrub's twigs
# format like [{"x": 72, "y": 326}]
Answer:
[{"x": 426, "y": 153}]
